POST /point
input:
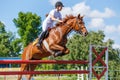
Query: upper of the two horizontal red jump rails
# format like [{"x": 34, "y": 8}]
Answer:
[{"x": 43, "y": 62}]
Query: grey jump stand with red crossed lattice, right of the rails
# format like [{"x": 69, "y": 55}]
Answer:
[{"x": 98, "y": 58}]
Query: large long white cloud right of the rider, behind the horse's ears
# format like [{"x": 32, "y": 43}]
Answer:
[{"x": 84, "y": 9}]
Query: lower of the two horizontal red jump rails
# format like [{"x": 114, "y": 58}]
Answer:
[{"x": 44, "y": 72}]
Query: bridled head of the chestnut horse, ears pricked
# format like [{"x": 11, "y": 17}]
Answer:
[{"x": 79, "y": 26}]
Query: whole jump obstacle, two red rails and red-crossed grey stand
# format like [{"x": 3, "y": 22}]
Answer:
[{"x": 91, "y": 63}]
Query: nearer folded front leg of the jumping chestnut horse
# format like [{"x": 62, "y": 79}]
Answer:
[{"x": 60, "y": 49}]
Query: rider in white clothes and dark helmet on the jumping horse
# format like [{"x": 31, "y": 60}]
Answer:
[{"x": 53, "y": 16}]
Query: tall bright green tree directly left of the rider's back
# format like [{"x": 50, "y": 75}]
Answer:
[{"x": 28, "y": 25}]
